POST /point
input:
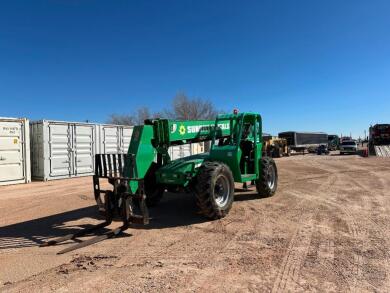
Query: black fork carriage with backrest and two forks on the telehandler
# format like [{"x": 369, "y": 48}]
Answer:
[{"x": 118, "y": 201}]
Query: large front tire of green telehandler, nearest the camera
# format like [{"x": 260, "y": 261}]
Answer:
[{"x": 214, "y": 190}]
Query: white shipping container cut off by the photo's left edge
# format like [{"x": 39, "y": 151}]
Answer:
[{"x": 14, "y": 151}]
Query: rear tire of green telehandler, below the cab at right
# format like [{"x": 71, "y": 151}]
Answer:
[{"x": 267, "y": 183}]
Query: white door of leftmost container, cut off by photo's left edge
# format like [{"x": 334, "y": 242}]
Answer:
[{"x": 11, "y": 151}]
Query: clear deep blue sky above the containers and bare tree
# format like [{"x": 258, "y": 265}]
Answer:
[{"x": 304, "y": 65}]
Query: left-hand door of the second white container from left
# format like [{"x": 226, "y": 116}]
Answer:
[{"x": 60, "y": 150}]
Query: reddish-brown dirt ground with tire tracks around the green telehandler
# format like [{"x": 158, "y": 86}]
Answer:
[{"x": 326, "y": 229}]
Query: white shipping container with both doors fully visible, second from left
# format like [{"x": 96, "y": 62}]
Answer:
[{"x": 62, "y": 149}]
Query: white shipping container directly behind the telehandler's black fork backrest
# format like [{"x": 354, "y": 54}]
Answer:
[{"x": 114, "y": 139}]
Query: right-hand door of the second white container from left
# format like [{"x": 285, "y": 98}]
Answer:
[{"x": 84, "y": 148}]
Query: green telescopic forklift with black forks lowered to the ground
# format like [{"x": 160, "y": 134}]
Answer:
[{"x": 140, "y": 177}]
